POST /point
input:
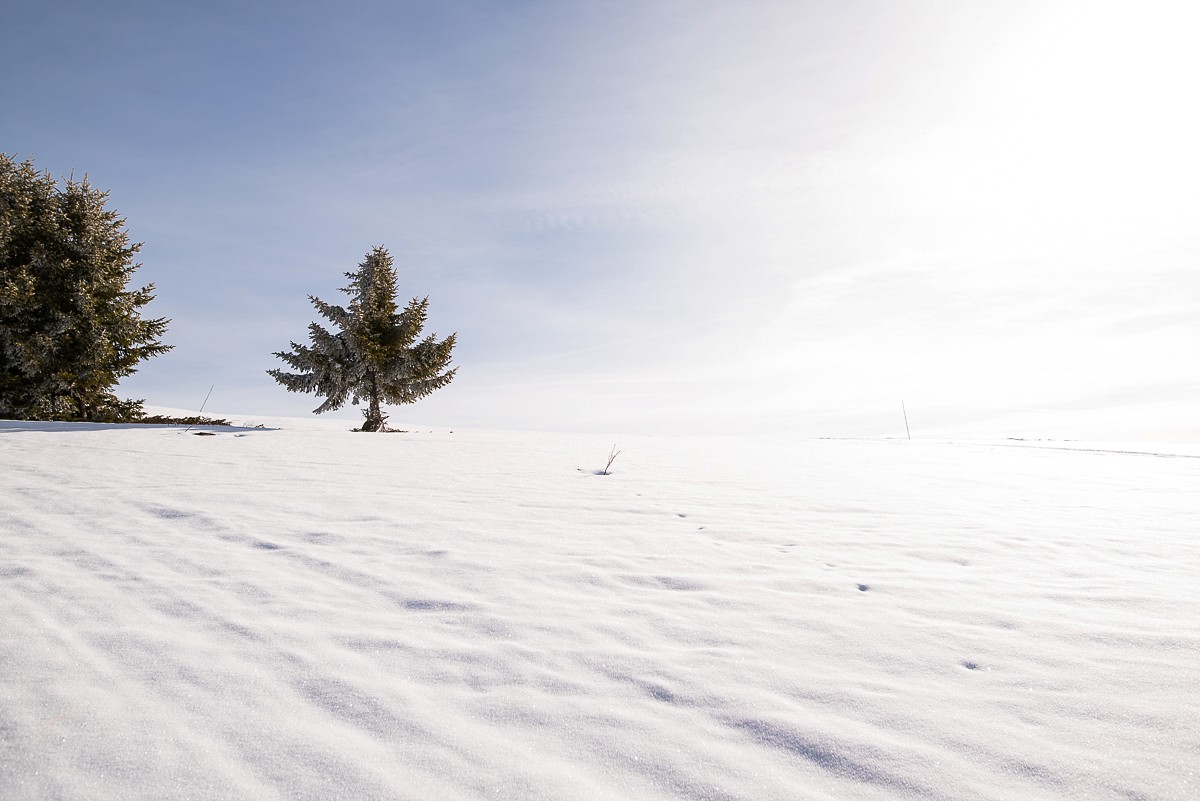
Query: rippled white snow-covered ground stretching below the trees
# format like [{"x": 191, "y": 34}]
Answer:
[{"x": 309, "y": 613}]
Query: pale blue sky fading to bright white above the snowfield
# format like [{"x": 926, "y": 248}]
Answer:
[{"x": 659, "y": 216}]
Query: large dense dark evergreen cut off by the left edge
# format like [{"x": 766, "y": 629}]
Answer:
[{"x": 70, "y": 329}]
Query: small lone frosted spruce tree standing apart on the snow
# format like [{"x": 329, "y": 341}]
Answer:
[{"x": 375, "y": 354}]
